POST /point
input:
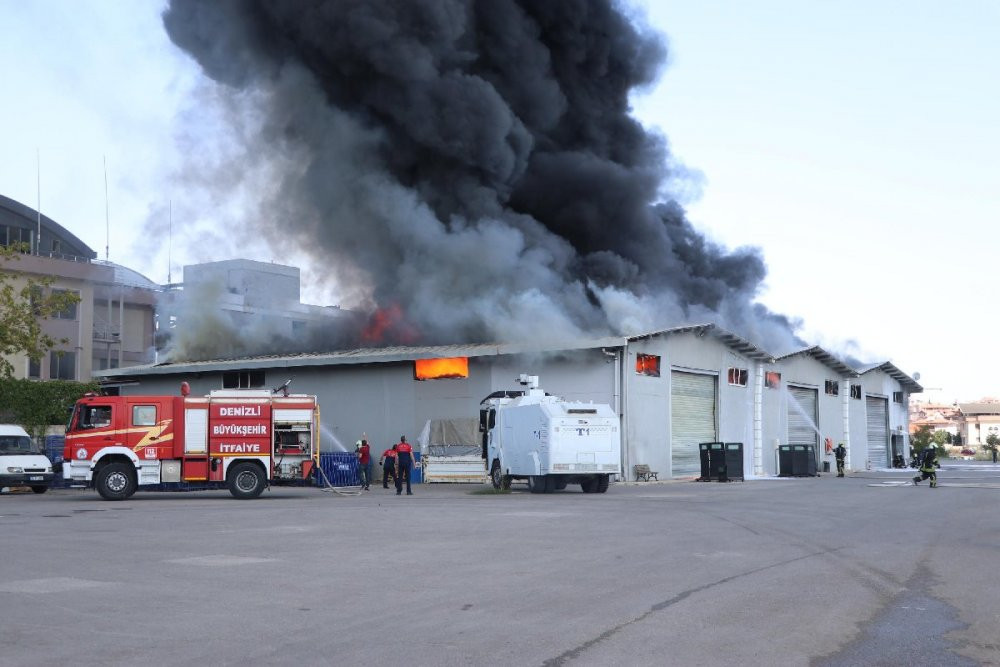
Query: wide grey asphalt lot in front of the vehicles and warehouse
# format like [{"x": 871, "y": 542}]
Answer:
[{"x": 826, "y": 571}]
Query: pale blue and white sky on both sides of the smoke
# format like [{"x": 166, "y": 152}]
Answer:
[{"x": 855, "y": 143}]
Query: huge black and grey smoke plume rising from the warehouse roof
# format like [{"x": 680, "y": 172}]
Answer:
[{"x": 473, "y": 164}]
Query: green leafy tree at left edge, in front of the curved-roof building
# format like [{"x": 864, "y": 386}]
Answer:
[{"x": 22, "y": 310}]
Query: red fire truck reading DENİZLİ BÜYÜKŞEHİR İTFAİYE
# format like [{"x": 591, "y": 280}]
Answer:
[{"x": 242, "y": 440}]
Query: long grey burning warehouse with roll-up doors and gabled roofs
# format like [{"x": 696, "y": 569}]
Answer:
[{"x": 673, "y": 389}]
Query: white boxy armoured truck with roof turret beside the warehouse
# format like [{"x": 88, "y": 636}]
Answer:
[{"x": 548, "y": 441}]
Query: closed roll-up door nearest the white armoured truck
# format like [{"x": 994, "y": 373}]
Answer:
[{"x": 692, "y": 419}]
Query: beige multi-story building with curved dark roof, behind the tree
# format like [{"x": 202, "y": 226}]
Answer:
[{"x": 112, "y": 326}]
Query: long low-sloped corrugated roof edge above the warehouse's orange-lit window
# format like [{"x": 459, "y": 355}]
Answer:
[{"x": 357, "y": 356}]
